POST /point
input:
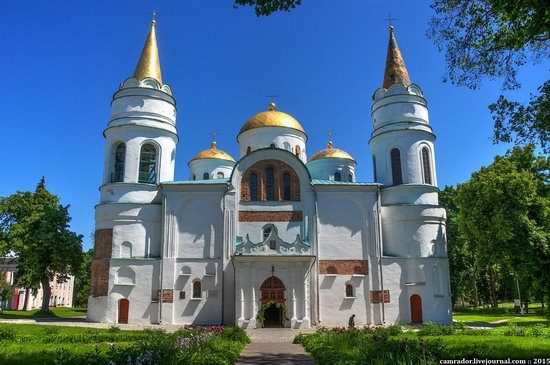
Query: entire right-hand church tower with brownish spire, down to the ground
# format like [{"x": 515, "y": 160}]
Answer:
[{"x": 413, "y": 224}]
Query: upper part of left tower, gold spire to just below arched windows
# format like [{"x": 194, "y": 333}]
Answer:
[{"x": 141, "y": 135}]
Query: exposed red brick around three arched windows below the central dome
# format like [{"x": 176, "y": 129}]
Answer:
[{"x": 279, "y": 168}]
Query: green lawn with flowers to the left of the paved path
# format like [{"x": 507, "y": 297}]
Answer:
[{"x": 42, "y": 344}]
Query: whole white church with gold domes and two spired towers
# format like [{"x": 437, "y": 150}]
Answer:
[{"x": 272, "y": 238}]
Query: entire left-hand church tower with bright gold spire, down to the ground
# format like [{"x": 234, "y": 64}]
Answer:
[{"x": 140, "y": 149}]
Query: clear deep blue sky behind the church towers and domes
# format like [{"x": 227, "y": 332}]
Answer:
[{"x": 62, "y": 61}]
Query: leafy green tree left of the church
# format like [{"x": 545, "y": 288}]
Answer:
[{"x": 35, "y": 227}]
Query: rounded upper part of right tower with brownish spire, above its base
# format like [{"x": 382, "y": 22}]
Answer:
[{"x": 402, "y": 145}]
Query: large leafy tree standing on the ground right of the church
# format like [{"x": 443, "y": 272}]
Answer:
[{"x": 505, "y": 209}]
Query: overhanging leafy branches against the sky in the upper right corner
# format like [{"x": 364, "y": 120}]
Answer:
[{"x": 492, "y": 39}]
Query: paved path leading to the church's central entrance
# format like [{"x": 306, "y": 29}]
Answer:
[{"x": 274, "y": 346}]
